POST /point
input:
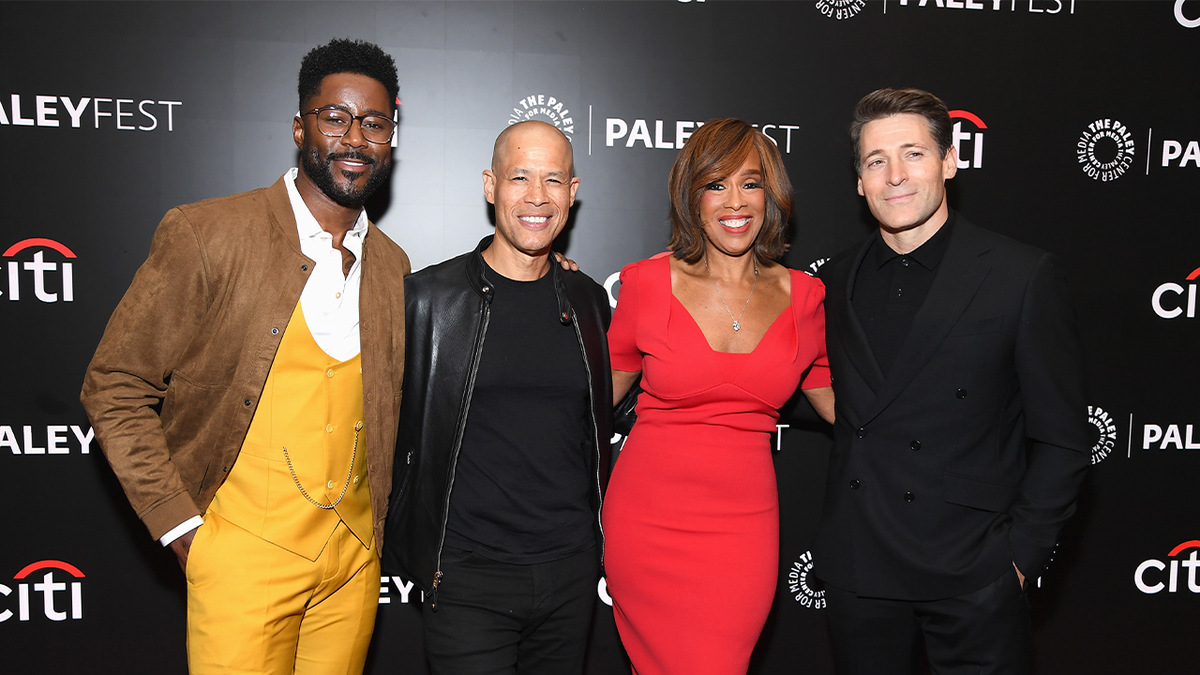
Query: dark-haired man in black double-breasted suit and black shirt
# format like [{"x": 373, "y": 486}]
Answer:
[{"x": 961, "y": 439}]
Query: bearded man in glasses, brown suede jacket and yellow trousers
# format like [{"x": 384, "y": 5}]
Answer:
[{"x": 247, "y": 391}]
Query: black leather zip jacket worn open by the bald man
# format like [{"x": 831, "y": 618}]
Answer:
[{"x": 447, "y": 310}]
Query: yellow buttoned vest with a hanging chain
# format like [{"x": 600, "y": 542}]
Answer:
[{"x": 308, "y": 416}]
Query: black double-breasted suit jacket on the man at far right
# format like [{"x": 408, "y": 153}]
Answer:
[{"x": 968, "y": 457}]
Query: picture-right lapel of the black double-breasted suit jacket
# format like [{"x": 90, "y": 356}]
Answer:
[{"x": 959, "y": 277}]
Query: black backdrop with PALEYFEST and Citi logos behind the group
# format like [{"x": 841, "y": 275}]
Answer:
[{"x": 1077, "y": 129}]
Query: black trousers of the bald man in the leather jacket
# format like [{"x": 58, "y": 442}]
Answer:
[{"x": 512, "y": 619}]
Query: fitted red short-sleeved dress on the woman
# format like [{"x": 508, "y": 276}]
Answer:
[{"x": 692, "y": 513}]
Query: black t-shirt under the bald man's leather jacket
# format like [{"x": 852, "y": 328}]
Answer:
[{"x": 523, "y": 485}]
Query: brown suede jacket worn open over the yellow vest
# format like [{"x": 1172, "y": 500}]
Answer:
[{"x": 178, "y": 374}]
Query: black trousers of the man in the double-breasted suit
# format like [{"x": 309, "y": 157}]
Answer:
[{"x": 981, "y": 634}]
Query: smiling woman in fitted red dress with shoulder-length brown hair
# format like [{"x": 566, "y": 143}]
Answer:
[{"x": 722, "y": 336}]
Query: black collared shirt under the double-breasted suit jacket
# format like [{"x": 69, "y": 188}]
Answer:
[{"x": 890, "y": 289}]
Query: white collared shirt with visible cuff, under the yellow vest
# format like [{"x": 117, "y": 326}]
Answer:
[{"x": 331, "y": 300}]
